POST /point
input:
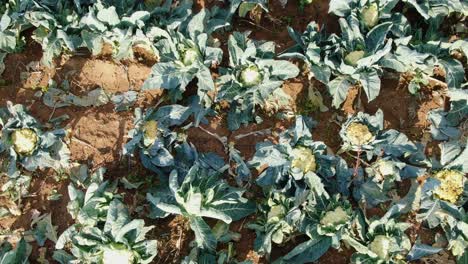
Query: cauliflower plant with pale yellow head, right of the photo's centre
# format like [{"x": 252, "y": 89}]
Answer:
[{"x": 284, "y": 166}]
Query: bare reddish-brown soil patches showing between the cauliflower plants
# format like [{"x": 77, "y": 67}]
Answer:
[{"x": 98, "y": 133}]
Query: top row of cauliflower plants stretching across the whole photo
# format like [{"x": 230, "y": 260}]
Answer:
[{"x": 376, "y": 38}]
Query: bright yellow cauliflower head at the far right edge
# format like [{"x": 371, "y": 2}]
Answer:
[{"x": 451, "y": 185}]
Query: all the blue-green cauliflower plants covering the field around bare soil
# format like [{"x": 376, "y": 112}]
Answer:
[{"x": 310, "y": 193}]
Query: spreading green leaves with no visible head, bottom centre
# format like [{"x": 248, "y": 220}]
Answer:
[{"x": 201, "y": 194}]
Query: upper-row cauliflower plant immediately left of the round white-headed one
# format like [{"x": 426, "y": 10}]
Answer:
[{"x": 188, "y": 53}]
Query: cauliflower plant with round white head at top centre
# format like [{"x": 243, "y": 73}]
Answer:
[{"x": 251, "y": 78}]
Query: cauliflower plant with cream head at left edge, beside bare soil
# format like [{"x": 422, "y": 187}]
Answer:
[{"x": 24, "y": 141}]
